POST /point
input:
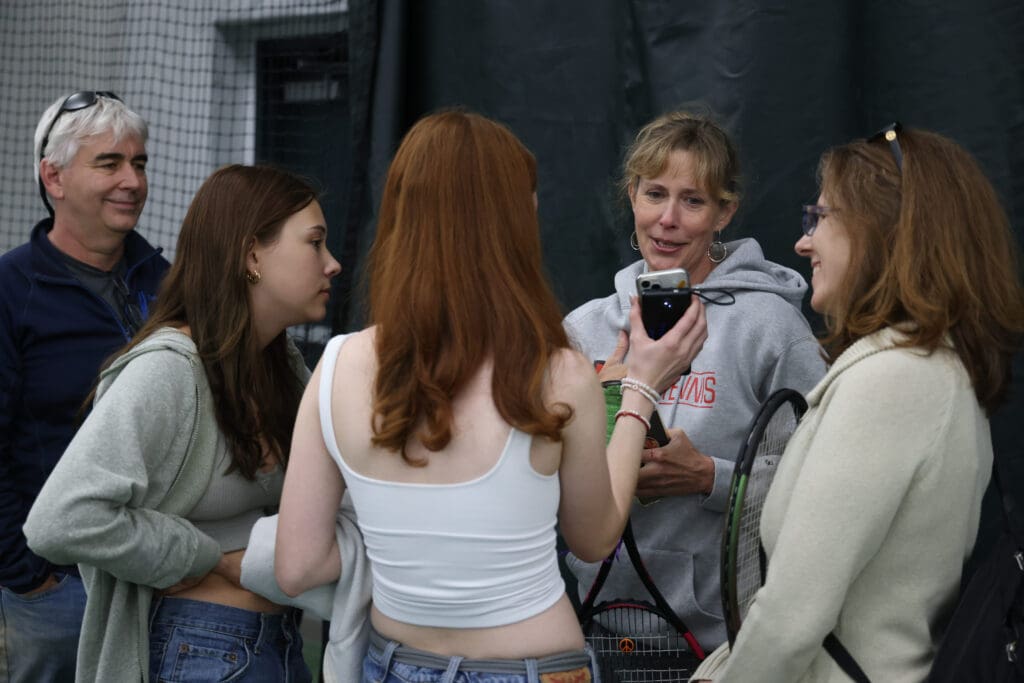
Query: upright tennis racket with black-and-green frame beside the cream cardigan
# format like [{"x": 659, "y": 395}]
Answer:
[{"x": 743, "y": 558}]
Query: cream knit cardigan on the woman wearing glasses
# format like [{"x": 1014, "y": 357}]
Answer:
[{"x": 873, "y": 514}]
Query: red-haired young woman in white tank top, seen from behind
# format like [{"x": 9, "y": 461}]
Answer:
[{"x": 465, "y": 426}]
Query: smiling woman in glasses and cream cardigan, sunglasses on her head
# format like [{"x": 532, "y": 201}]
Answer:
[{"x": 876, "y": 504}]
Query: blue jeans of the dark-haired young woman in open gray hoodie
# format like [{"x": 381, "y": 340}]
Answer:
[{"x": 193, "y": 642}]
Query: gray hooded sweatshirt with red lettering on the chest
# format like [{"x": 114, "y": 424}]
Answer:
[{"x": 755, "y": 347}]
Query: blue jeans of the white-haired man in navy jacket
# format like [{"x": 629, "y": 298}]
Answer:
[{"x": 39, "y": 634}]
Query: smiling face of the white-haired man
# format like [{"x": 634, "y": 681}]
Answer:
[{"x": 104, "y": 187}]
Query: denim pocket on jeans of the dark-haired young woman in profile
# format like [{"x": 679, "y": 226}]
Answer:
[{"x": 192, "y": 655}]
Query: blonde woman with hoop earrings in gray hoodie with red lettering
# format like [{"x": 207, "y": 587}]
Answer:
[{"x": 682, "y": 179}]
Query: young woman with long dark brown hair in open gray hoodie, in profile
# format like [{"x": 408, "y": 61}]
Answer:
[{"x": 187, "y": 444}]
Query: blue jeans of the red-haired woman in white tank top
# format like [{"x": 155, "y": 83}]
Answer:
[{"x": 390, "y": 662}]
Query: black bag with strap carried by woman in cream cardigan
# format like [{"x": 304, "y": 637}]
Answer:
[{"x": 985, "y": 642}]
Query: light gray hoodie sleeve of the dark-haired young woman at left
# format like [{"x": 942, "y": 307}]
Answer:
[{"x": 96, "y": 508}]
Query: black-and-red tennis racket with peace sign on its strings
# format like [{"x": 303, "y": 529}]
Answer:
[{"x": 637, "y": 642}]
